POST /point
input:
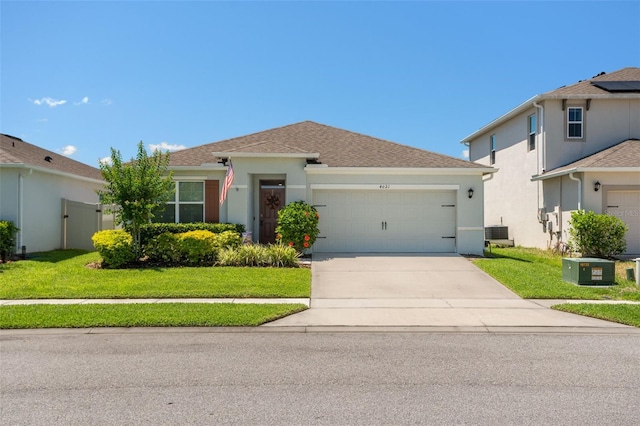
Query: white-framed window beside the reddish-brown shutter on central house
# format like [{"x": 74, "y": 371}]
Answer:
[{"x": 186, "y": 204}]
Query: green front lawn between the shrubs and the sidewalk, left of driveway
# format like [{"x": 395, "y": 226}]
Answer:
[{"x": 63, "y": 274}]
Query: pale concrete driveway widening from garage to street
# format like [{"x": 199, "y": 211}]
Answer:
[{"x": 444, "y": 292}]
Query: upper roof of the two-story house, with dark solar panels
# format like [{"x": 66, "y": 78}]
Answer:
[{"x": 585, "y": 89}]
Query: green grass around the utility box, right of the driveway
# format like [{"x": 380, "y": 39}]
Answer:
[{"x": 537, "y": 274}]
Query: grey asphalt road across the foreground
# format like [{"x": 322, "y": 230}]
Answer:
[{"x": 341, "y": 379}]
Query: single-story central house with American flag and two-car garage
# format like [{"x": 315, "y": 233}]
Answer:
[{"x": 372, "y": 195}]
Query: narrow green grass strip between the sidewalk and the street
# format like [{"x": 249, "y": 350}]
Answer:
[{"x": 143, "y": 315}]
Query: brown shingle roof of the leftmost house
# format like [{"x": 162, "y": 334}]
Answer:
[{"x": 16, "y": 151}]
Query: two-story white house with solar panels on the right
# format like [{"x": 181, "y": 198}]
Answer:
[{"x": 572, "y": 148}]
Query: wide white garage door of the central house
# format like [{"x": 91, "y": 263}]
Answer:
[{"x": 386, "y": 221}]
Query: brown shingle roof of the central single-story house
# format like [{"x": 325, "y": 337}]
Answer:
[{"x": 337, "y": 148}]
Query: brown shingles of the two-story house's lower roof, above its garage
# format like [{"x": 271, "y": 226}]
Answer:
[{"x": 626, "y": 154}]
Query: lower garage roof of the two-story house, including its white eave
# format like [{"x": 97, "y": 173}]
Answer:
[{"x": 624, "y": 156}]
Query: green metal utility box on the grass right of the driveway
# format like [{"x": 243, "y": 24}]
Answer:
[{"x": 588, "y": 271}]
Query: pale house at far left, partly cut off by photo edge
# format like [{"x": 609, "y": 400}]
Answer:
[{"x": 51, "y": 198}]
